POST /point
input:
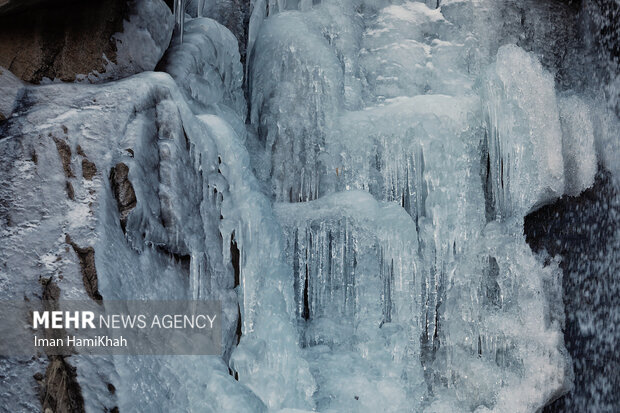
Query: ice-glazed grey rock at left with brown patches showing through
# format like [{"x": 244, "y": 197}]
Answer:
[{"x": 131, "y": 176}]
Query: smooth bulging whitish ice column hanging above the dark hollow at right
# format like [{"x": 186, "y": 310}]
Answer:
[{"x": 524, "y": 134}]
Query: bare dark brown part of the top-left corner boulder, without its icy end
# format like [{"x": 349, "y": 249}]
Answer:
[{"x": 60, "y": 39}]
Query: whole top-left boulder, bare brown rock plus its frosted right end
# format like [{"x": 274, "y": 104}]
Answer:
[{"x": 93, "y": 41}]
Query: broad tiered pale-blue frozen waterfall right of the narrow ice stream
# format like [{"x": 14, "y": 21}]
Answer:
[{"x": 417, "y": 111}]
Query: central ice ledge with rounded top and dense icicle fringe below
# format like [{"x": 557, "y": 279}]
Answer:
[{"x": 357, "y": 298}]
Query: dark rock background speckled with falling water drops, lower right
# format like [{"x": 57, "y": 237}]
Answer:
[{"x": 582, "y": 230}]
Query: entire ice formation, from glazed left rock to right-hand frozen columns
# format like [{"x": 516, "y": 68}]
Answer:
[{"x": 362, "y": 224}]
